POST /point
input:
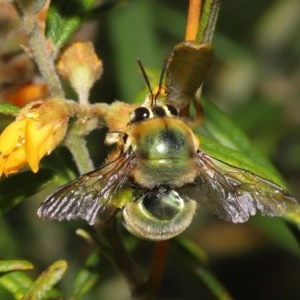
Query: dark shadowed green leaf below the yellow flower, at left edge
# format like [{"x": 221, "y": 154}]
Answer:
[{"x": 18, "y": 187}]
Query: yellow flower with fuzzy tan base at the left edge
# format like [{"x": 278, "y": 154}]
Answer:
[{"x": 37, "y": 130}]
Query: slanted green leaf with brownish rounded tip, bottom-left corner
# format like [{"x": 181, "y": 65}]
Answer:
[{"x": 39, "y": 290}]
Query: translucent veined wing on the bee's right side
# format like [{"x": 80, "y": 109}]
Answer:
[{"x": 234, "y": 194}]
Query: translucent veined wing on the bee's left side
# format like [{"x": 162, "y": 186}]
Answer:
[{"x": 90, "y": 194}]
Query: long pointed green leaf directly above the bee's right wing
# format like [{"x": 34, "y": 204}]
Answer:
[{"x": 222, "y": 129}]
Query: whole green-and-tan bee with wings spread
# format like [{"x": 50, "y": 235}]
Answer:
[{"x": 157, "y": 175}]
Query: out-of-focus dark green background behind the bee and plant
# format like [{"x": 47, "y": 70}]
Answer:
[{"x": 255, "y": 79}]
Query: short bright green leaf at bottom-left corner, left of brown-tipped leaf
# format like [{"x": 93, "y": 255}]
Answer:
[{"x": 16, "y": 283}]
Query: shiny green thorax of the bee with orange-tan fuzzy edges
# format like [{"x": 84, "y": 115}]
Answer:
[{"x": 165, "y": 150}]
